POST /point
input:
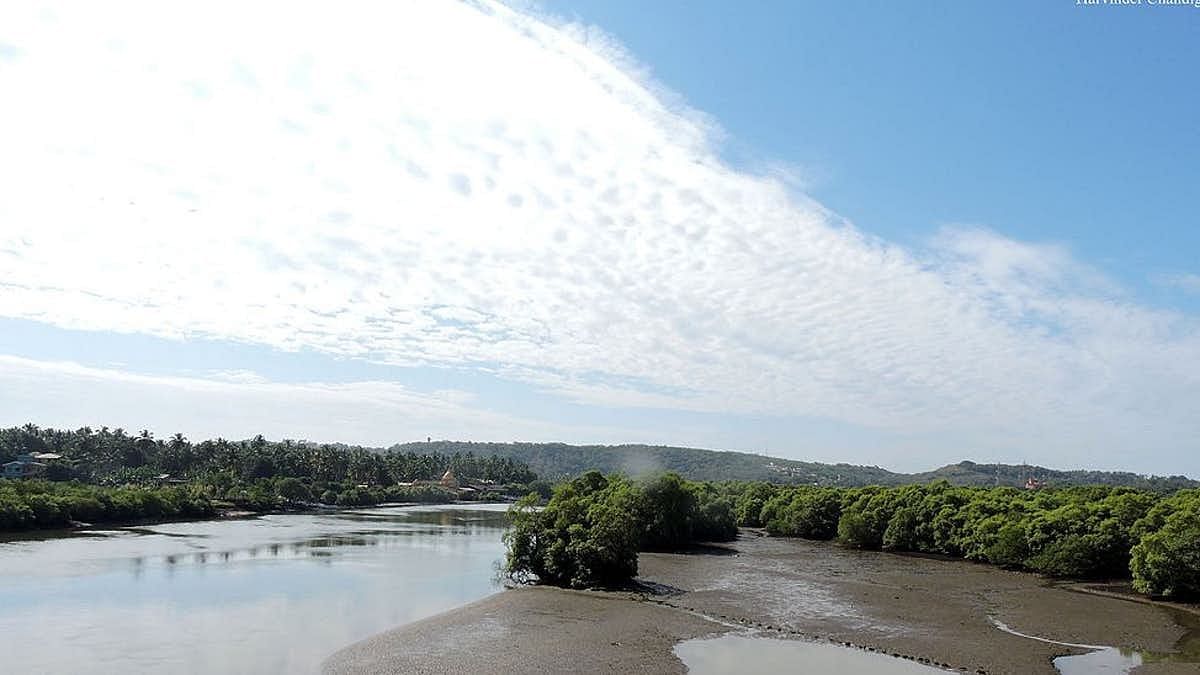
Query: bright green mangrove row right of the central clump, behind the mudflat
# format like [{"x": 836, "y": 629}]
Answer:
[{"x": 1073, "y": 533}]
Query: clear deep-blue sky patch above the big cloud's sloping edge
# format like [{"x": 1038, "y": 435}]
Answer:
[{"x": 1045, "y": 121}]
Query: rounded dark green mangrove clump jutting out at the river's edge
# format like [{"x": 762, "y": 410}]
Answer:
[{"x": 591, "y": 530}]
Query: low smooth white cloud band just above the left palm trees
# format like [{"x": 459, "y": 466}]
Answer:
[{"x": 65, "y": 395}]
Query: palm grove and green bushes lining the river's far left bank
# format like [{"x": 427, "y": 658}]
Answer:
[{"x": 116, "y": 469}]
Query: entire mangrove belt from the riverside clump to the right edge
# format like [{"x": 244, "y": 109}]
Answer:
[{"x": 592, "y": 528}]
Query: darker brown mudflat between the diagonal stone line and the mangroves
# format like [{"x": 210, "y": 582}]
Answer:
[{"x": 933, "y": 610}]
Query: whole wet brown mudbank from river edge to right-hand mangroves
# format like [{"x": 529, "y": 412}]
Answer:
[{"x": 921, "y": 608}]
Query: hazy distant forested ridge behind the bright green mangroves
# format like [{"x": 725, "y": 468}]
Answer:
[{"x": 560, "y": 461}]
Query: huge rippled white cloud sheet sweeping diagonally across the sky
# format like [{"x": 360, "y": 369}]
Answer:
[{"x": 460, "y": 184}]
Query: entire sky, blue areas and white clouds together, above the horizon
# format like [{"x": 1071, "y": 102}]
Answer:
[{"x": 896, "y": 235}]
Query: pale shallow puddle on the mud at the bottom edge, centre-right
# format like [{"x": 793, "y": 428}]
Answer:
[{"x": 747, "y": 655}]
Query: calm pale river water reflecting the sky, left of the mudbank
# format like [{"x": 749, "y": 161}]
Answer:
[{"x": 277, "y": 594}]
